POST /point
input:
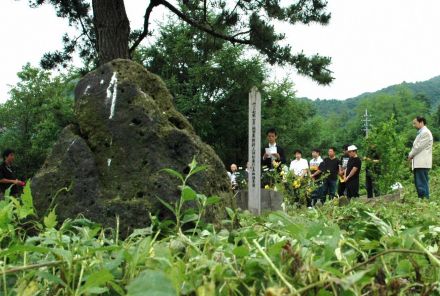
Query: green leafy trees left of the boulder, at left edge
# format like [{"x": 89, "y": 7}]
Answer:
[{"x": 39, "y": 107}]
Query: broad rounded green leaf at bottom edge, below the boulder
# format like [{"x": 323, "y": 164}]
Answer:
[{"x": 151, "y": 283}]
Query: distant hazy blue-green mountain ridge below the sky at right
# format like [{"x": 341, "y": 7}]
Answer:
[{"x": 430, "y": 89}]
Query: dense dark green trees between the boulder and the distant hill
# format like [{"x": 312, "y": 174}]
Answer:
[{"x": 210, "y": 81}]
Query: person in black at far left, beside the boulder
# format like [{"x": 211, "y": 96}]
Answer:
[{"x": 7, "y": 175}]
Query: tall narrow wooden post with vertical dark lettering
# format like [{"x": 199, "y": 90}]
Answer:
[{"x": 254, "y": 152}]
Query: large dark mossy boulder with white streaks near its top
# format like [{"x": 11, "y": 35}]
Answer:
[{"x": 127, "y": 131}]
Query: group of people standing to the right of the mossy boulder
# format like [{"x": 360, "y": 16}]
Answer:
[{"x": 342, "y": 175}]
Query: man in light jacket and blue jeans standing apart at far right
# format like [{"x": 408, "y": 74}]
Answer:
[{"x": 421, "y": 156}]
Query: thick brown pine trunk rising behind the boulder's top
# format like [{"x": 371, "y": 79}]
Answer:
[{"x": 112, "y": 29}]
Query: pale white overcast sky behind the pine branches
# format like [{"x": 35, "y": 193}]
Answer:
[{"x": 373, "y": 43}]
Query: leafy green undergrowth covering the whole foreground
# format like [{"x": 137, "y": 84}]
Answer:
[{"x": 382, "y": 248}]
